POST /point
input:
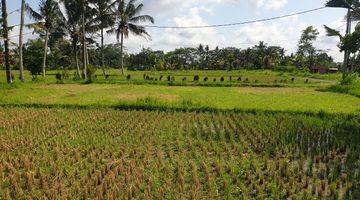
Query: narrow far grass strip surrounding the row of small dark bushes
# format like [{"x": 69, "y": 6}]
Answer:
[{"x": 248, "y": 78}]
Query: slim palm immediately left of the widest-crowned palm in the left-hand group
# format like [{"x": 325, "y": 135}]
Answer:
[{"x": 104, "y": 19}]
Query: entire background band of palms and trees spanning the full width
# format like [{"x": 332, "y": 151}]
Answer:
[{"x": 72, "y": 33}]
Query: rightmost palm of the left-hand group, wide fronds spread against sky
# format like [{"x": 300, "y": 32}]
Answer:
[{"x": 126, "y": 22}]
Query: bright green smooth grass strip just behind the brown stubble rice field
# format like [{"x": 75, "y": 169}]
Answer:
[{"x": 292, "y": 99}]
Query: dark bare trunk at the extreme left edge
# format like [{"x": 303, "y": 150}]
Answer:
[{"x": 6, "y": 41}]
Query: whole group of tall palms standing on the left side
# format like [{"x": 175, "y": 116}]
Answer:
[{"x": 78, "y": 22}]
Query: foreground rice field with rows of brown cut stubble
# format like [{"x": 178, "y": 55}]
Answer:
[{"x": 111, "y": 154}]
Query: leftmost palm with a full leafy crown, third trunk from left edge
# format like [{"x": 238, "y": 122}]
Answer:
[{"x": 48, "y": 19}]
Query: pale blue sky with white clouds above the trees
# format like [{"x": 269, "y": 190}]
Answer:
[{"x": 284, "y": 32}]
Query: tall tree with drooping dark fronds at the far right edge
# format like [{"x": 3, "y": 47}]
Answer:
[{"x": 350, "y": 5}]
